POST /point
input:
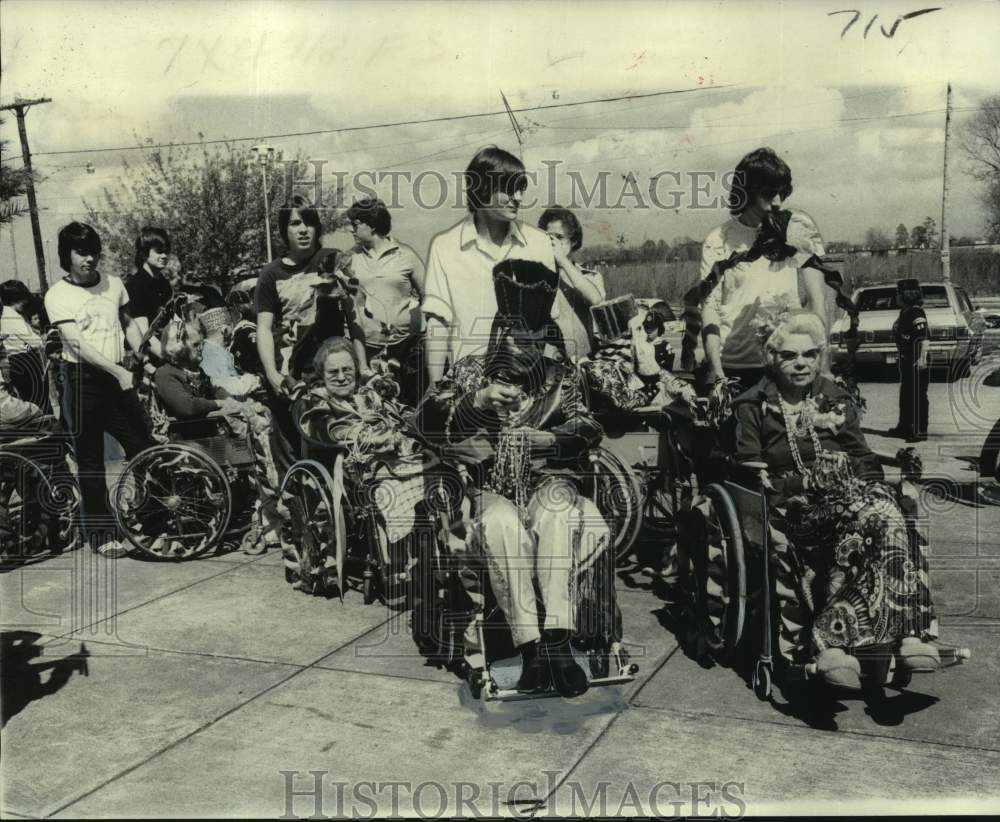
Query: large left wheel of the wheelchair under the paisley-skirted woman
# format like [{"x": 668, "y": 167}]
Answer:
[{"x": 723, "y": 580}]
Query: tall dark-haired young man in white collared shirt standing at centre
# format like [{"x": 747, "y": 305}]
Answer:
[{"x": 459, "y": 299}]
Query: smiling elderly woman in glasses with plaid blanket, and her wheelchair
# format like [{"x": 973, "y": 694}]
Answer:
[{"x": 363, "y": 473}]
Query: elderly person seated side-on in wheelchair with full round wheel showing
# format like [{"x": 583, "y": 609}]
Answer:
[{"x": 182, "y": 497}]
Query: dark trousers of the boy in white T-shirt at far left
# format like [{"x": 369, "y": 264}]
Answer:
[{"x": 94, "y": 404}]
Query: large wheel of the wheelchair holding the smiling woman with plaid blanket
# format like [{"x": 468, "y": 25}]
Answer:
[{"x": 311, "y": 536}]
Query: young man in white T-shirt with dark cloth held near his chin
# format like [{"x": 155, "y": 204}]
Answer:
[{"x": 762, "y": 182}]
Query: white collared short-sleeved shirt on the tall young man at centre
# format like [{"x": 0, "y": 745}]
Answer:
[{"x": 459, "y": 287}]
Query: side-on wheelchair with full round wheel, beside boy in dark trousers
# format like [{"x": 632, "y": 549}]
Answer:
[{"x": 183, "y": 497}]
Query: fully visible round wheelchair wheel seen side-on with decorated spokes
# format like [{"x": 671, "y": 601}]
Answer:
[{"x": 172, "y": 501}]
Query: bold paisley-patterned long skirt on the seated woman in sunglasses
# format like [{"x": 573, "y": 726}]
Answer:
[{"x": 862, "y": 572}]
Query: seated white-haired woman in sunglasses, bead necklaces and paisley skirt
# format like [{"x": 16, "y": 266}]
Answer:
[{"x": 850, "y": 572}]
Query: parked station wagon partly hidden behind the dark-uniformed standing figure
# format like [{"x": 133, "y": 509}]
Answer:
[{"x": 956, "y": 328}]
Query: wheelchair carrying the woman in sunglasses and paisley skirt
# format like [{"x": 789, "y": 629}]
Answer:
[{"x": 727, "y": 565}]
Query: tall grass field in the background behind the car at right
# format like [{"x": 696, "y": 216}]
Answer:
[{"x": 978, "y": 271}]
